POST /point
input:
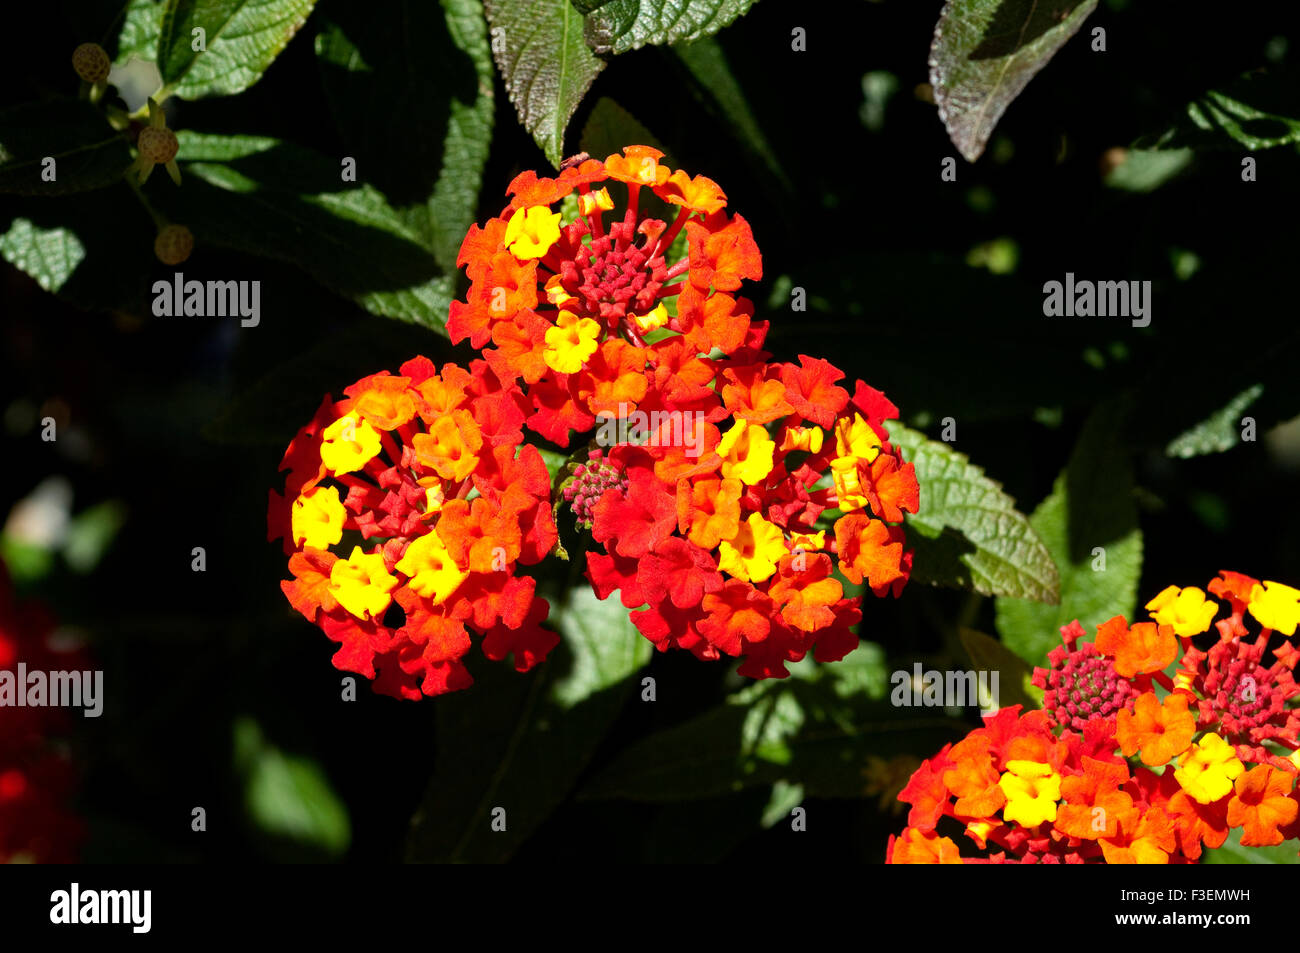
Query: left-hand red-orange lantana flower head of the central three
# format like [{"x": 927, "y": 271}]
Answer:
[{"x": 387, "y": 555}]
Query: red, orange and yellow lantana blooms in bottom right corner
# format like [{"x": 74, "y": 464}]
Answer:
[{"x": 1132, "y": 760}]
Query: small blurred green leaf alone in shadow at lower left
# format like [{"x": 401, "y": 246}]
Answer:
[{"x": 288, "y": 796}]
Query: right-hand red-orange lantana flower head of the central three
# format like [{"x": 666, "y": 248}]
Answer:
[{"x": 720, "y": 539}]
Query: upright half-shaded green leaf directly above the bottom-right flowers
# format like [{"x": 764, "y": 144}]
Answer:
[{"x": 1091, "y": 506}]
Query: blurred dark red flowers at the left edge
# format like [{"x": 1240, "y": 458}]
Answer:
[{"x": 37, "y": 779}]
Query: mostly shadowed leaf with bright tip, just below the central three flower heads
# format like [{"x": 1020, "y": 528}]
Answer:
[{"x": 521, "y": 742}]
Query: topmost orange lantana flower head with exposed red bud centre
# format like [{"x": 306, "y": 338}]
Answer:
[{"x": 549, "y": 294}]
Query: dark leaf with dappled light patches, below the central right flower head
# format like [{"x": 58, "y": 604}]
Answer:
[{"x": 817, "y": 730}]
